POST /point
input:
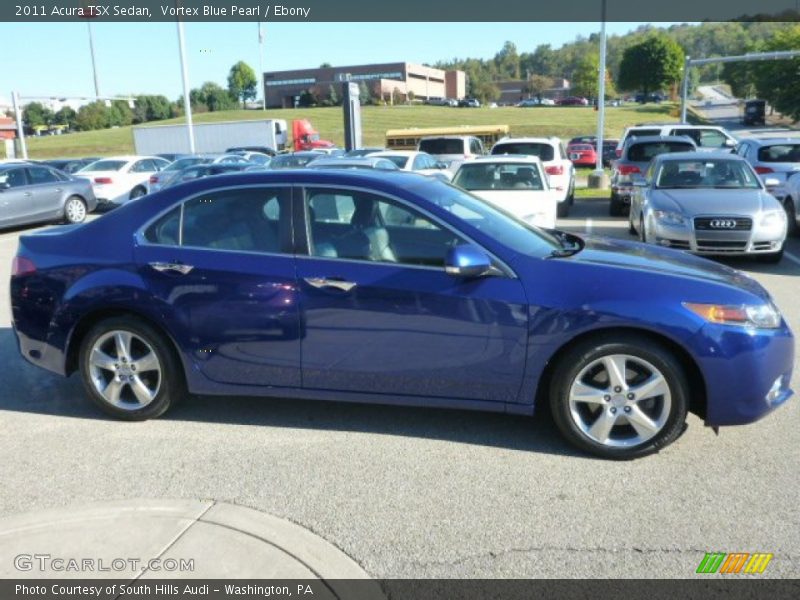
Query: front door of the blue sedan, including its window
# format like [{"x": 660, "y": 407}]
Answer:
[{"x": 382, "y": 316}]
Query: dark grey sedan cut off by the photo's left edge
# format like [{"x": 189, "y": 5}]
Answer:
[{"x": 31, "y": 193}]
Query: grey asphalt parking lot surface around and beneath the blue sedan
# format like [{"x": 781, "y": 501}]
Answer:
[{"x": 420, "y": 492}]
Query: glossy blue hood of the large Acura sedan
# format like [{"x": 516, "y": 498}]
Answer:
[{"x": 653, "y": 259}]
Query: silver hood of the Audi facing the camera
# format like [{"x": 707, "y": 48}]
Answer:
[{"x": 699, "y": 201}]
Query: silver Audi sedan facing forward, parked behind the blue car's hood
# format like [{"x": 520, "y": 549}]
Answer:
[{"x": 707, "y": 203}]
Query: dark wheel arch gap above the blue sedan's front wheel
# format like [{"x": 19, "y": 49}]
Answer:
[{"x": 698, "y": 396}]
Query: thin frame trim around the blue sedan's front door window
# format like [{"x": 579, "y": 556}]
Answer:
[{"x": 306, "y": 227}]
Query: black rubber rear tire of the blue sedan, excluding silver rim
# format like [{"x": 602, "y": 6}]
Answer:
[{"x": 169, "y": 385}]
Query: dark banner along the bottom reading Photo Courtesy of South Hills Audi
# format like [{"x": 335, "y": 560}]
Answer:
[{"x": 700, "y": 588}]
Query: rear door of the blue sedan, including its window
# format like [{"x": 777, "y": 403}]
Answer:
[{"x": 222, "y": 268}]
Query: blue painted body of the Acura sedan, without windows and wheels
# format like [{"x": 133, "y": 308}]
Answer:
[{"x": 246, "y": 323}]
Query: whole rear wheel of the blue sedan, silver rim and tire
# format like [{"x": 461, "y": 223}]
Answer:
[{"x": 129, "y": 369}]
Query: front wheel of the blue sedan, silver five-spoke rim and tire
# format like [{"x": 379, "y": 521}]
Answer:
[{"x": 619, "y": 398}]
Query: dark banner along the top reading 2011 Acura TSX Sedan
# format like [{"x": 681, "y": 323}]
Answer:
[{"x": 404, "y": 11}]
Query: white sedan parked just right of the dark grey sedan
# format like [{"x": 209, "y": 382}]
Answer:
[{"x": 117, "y": 179}]
